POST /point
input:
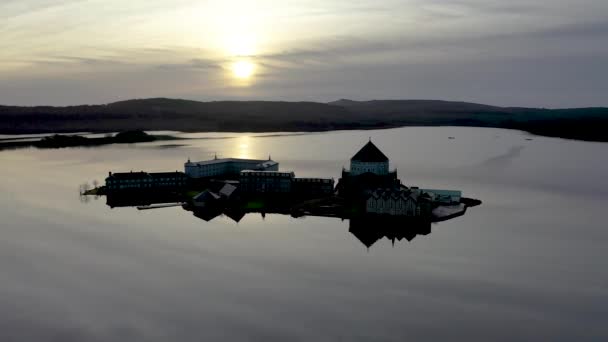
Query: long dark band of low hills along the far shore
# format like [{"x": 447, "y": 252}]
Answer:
[{"x": 257, "y": 116}]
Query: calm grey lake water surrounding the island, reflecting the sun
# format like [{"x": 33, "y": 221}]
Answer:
[{"x": 529, "y": 264}]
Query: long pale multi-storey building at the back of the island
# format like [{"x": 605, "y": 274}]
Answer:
[{"x": 227, "y": 166}]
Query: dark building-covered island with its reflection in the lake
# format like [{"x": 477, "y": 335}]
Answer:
[{"x": 368, "y": 194}]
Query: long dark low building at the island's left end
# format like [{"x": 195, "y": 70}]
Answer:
[{"x": 145, "y": 181}]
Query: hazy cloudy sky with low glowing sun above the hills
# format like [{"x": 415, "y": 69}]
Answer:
[{"x": 542, "y": 53}]
